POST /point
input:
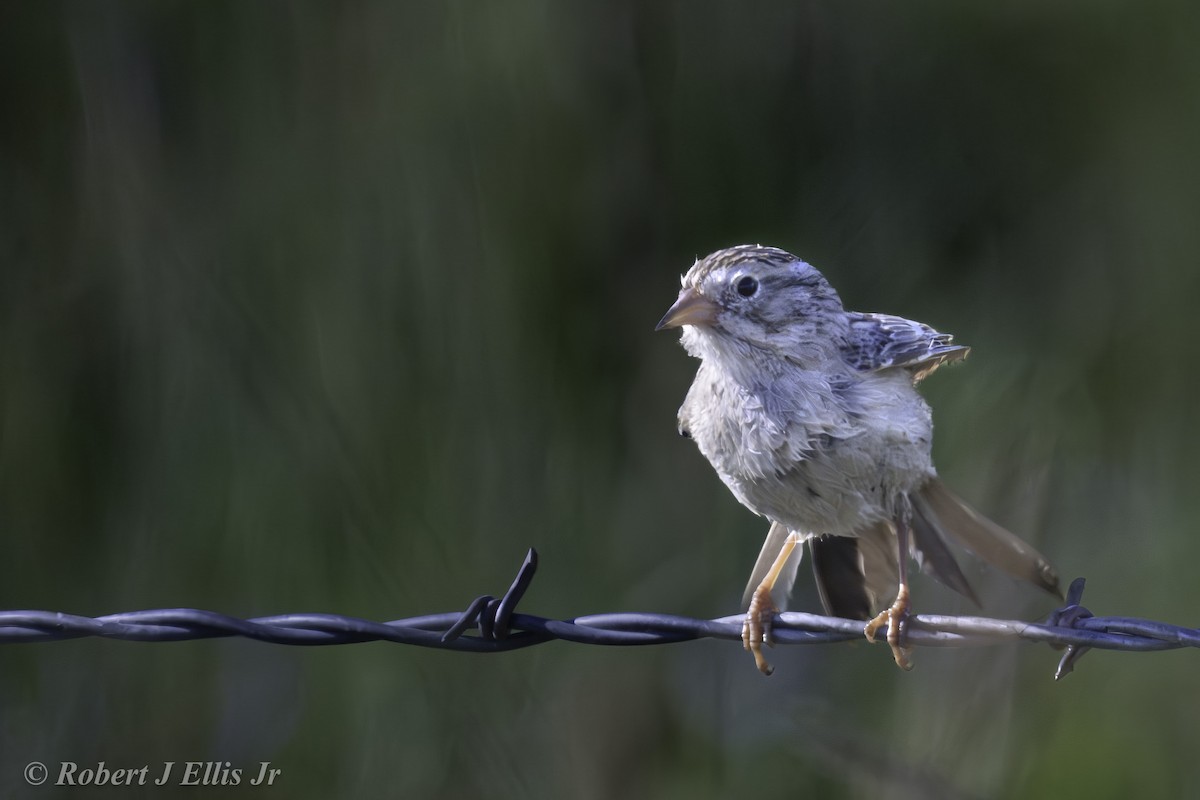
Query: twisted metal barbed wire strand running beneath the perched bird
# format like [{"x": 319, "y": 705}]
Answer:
[{"x": 500, "y": 628}]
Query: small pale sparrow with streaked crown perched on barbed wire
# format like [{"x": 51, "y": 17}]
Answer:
[{"x": 811, "y": 416}]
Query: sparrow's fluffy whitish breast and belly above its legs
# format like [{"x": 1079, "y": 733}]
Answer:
[{"x": 815, "y": 455}]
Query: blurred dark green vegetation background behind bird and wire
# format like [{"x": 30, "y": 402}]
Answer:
[{"x": 340, "y": 308}]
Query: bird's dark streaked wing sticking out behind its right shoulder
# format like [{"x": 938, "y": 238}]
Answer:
[{"x": 881, "y": 341}]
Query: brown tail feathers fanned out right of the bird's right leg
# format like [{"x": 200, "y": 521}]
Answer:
[{"x": 941, "y": 516}]
